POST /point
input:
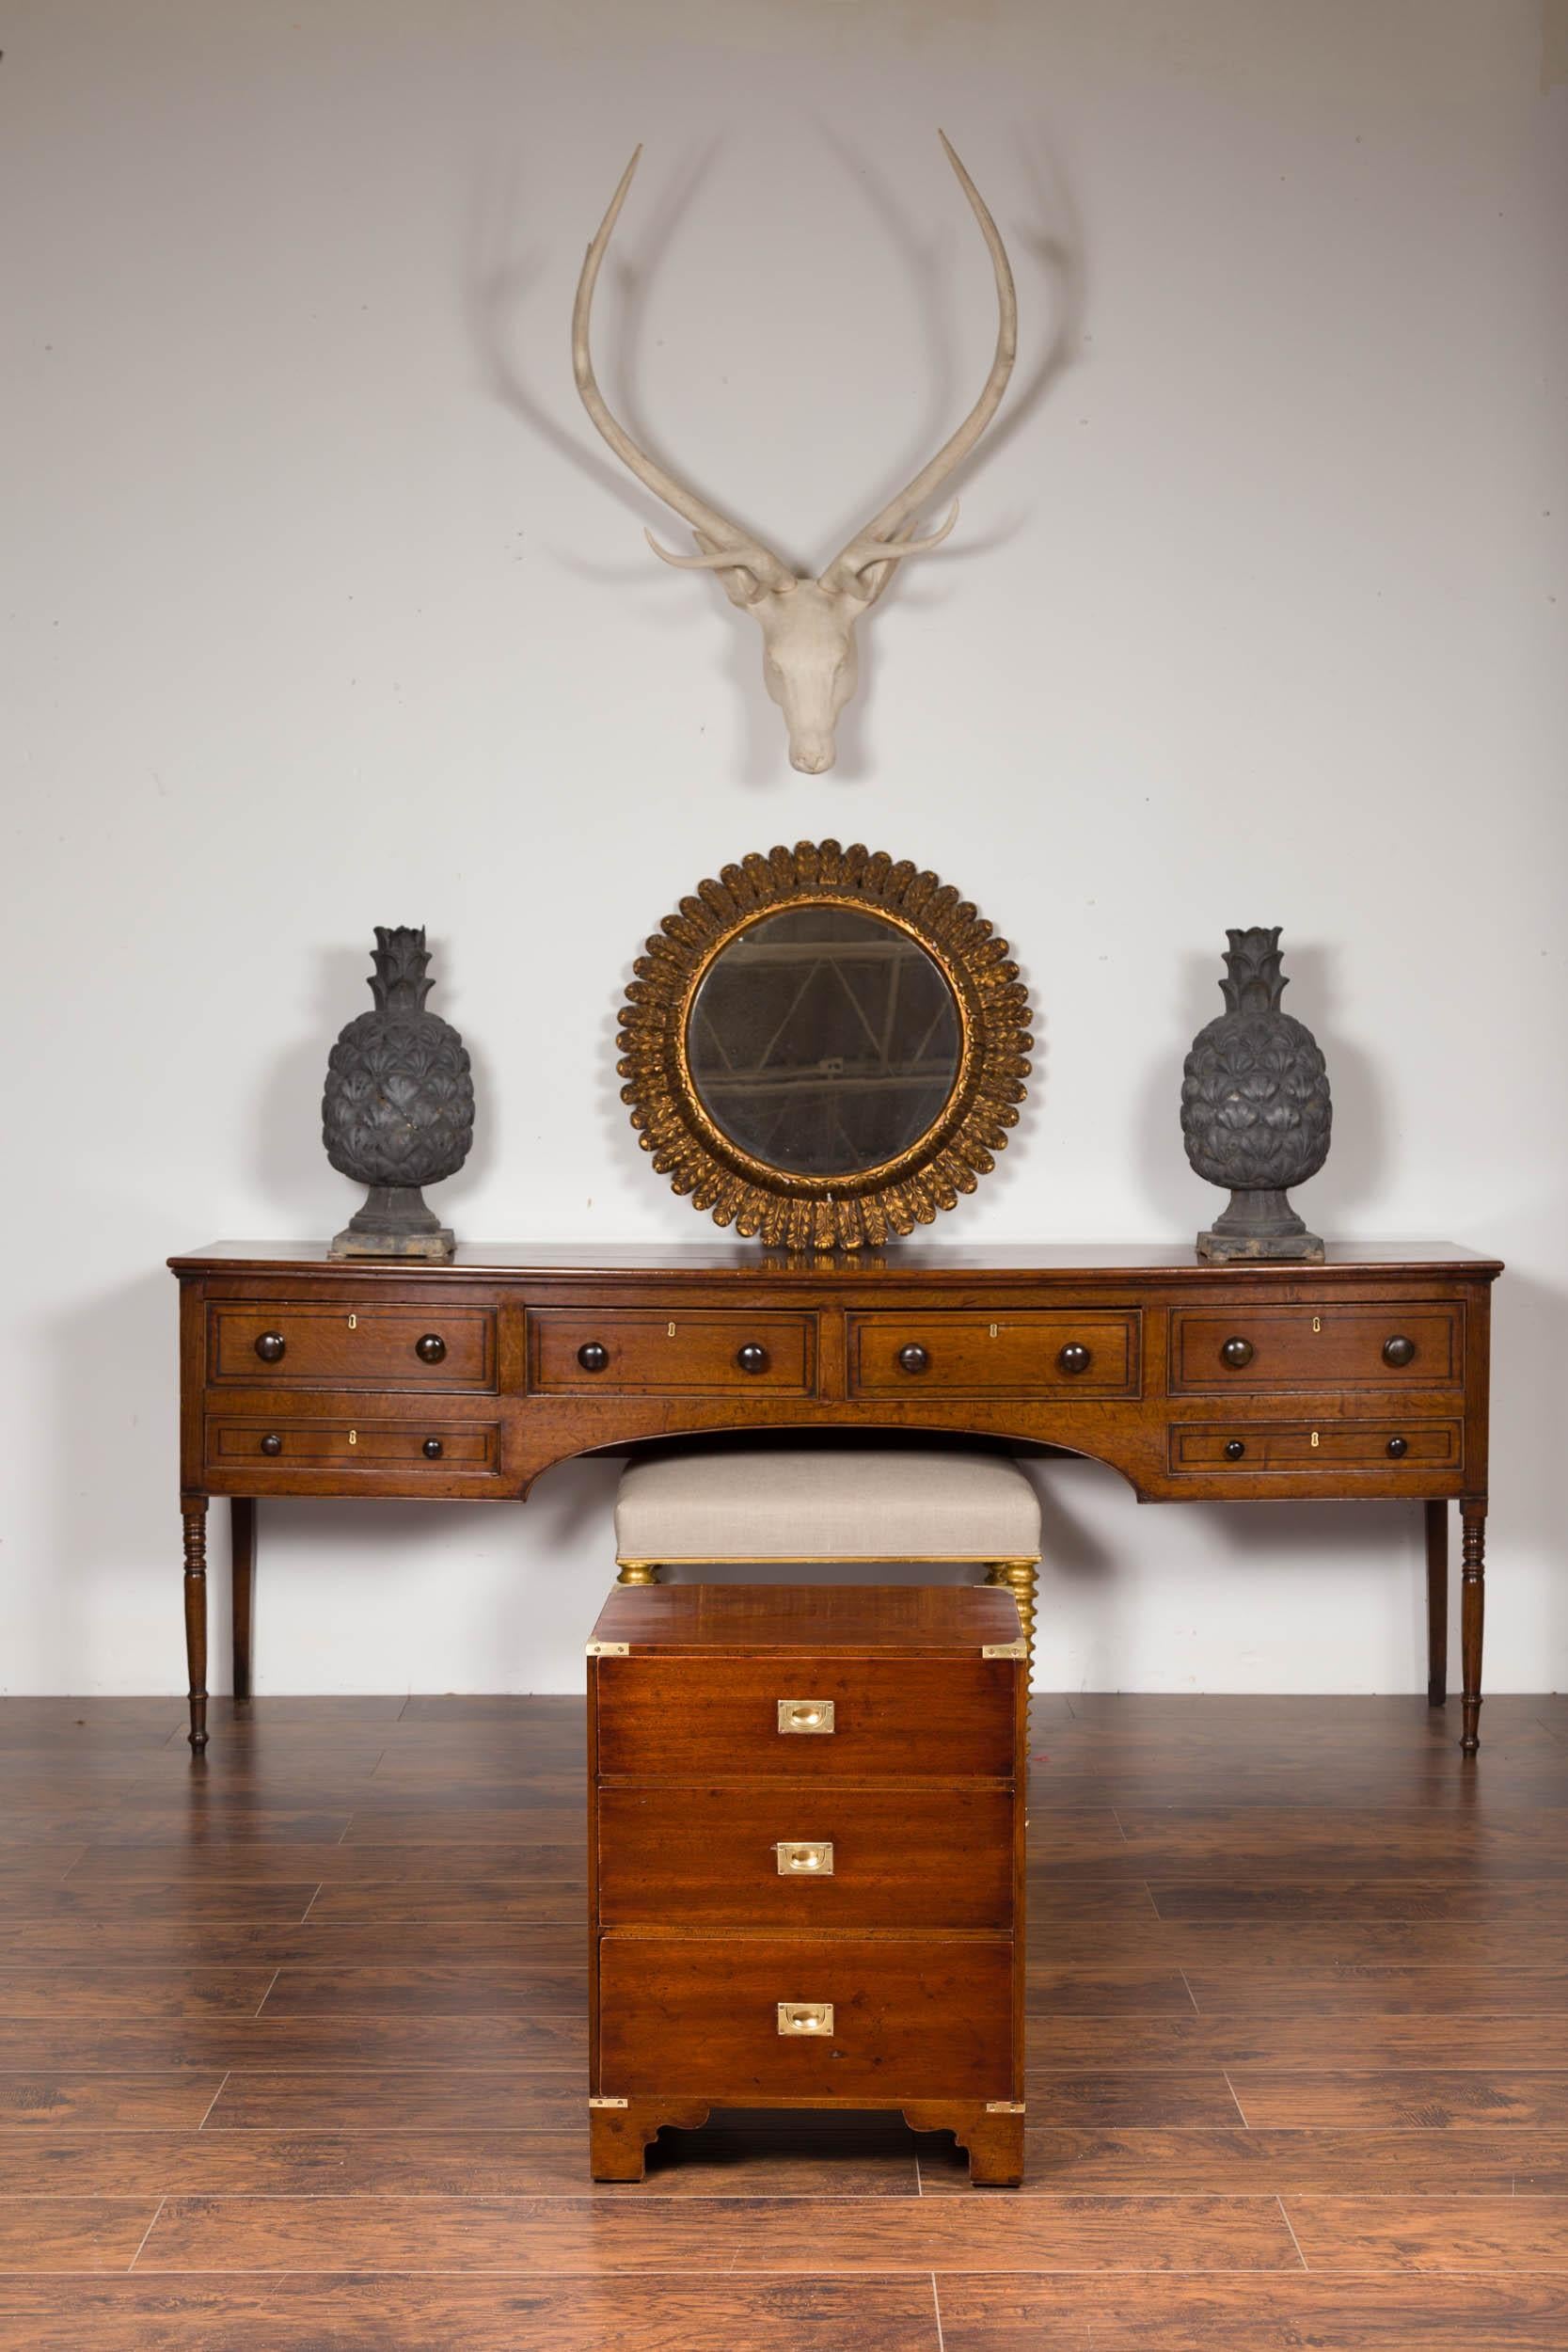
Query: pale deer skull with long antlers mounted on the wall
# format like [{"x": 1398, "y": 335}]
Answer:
[{"x": 808, "y": 624}]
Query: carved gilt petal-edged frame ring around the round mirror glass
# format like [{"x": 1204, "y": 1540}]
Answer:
[{"x": 824, "y": 1212}]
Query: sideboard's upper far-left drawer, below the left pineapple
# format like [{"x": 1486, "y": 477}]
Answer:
[{"x": 314, "y": 1347}]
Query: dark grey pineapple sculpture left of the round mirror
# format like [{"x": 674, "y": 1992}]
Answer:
[{"x": 398, "y": 1109}]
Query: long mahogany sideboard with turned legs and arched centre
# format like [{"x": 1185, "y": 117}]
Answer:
[{"x": 1360, "y": 1379}]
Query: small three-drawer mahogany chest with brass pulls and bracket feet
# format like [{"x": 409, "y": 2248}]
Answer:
[{"x": 808, "y": 1859}]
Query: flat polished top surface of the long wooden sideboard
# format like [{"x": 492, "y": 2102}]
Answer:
[{"x": 709, "y": 1262}]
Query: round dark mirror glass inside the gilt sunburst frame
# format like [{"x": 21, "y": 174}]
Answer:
[{"x": 824, "y": 1041}]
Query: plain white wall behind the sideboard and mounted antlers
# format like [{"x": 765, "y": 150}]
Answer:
[{"x": 326, "y": 608}]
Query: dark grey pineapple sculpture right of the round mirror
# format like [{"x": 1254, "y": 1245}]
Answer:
[{"x": 1257, "y": 1109}]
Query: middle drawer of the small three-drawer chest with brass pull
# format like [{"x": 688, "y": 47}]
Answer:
[{"x": 805, "y": 1859}]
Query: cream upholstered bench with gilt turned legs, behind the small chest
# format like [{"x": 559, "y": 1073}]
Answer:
[{"x": 876, "y": 1504}]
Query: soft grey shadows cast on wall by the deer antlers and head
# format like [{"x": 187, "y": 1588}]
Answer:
[{"x": 497, "y": 281}]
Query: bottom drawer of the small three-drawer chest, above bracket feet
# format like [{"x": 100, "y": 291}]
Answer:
[{"x": 911, "y": 2014}]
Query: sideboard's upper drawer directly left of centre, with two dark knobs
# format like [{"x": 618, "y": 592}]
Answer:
[{"x": 619, "y": 1354}]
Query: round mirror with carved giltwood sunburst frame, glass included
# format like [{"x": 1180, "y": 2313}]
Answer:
[{"x": 824, "y": 1048}]
